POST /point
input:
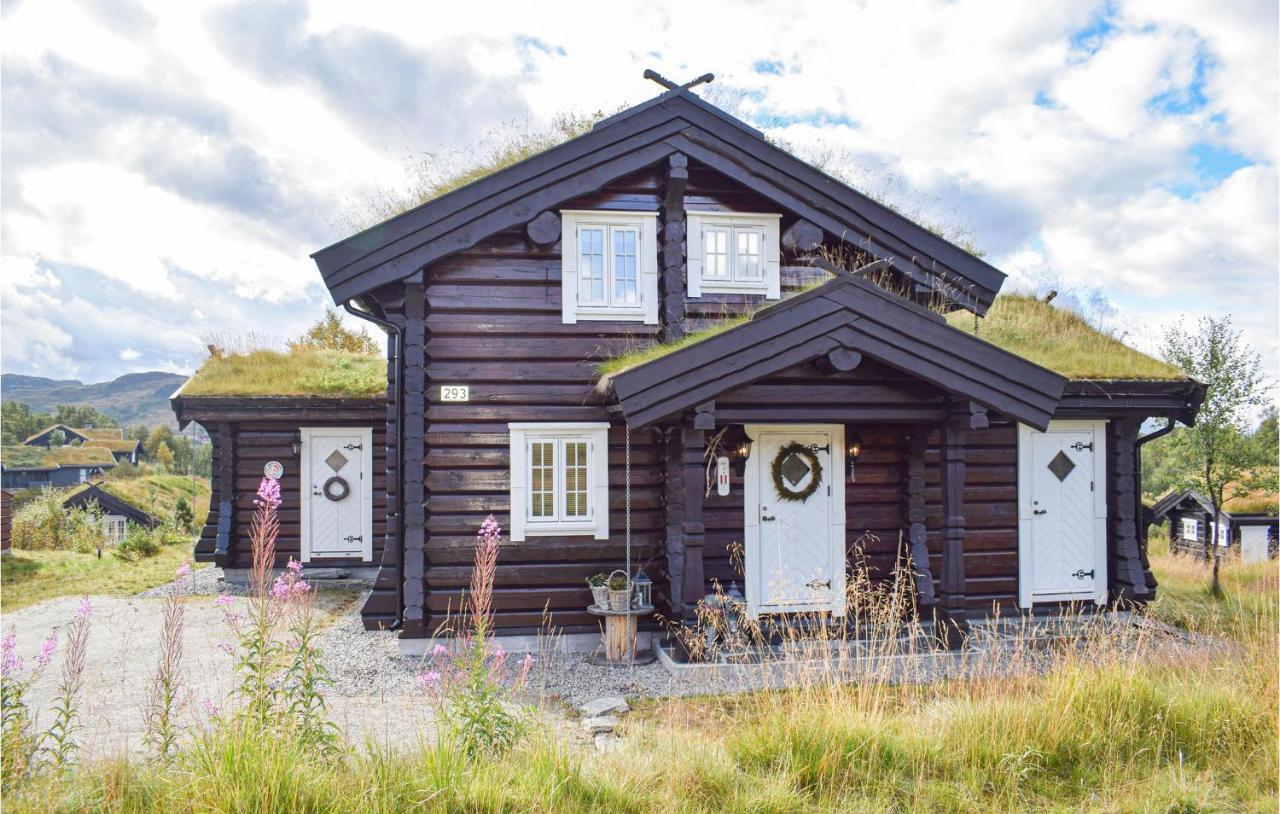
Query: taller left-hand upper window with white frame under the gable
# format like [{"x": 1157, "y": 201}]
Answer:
[{"x": 610, "y": 267}]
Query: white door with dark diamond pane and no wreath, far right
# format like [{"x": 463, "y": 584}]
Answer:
[{"x": 1063, "y": 513}]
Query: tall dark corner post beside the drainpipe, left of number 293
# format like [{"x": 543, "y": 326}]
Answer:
[{"x": 415, "y": 395}]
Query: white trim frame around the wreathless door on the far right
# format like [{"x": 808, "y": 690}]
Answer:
[{"x": 1026, "y": 571}]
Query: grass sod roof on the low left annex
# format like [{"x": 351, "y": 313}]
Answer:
[{"x": 336, "y": 374}]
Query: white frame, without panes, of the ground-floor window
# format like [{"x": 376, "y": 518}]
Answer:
[{"x": 597, "y": 437}]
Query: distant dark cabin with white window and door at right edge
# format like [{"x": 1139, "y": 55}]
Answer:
[{"x": 1191, "y": 525}]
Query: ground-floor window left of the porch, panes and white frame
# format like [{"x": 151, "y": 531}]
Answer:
[{"x": 560, "y": 479}]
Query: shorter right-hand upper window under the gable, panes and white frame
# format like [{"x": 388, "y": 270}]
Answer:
[{"x": 734, "y": 253}]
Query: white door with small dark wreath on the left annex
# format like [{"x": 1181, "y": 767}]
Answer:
[{"x": 337, "y": 493}]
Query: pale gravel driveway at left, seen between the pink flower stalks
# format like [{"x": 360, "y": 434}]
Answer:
[{"x": 124, "y": 651}]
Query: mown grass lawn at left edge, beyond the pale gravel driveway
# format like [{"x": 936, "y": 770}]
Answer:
[{"x": 28, "y": 578}]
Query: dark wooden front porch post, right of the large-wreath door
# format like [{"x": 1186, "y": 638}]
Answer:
[{"x": 953, "y": 615}]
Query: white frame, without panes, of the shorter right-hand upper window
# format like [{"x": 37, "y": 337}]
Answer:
[{"x": 767, "y": 225}]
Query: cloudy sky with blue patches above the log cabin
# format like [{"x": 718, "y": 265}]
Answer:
[{"x": 170, "y": 167}]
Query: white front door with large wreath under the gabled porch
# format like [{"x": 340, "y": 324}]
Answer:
[{"x": 796, "y": 537}]
